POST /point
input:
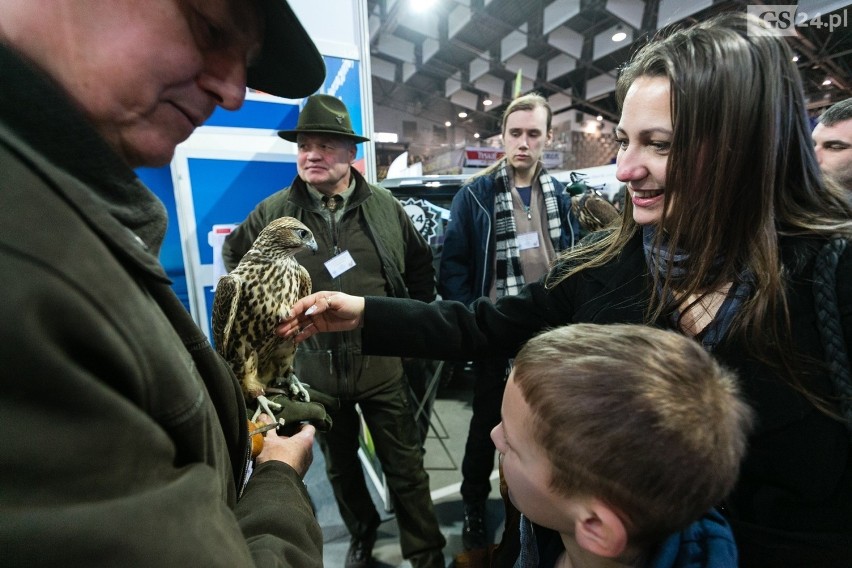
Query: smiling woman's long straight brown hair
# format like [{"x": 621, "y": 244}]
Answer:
[{"x": 741, "y": 173}]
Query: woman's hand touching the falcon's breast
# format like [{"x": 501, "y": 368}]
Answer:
[{"x": 322, "y": 311}]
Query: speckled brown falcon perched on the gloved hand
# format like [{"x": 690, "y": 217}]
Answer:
[{"x": 251, "y": 300}]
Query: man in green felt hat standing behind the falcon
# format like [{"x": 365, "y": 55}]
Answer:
[{"x": 367, "y": 245}]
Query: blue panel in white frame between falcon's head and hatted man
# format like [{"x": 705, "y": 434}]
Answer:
[{"x": 225, "y": 191}]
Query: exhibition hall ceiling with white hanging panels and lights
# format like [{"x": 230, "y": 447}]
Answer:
[{"x": 433, "y": 60}]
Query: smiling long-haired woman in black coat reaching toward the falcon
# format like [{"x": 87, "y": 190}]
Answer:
[{"x": 714, "y": 115}]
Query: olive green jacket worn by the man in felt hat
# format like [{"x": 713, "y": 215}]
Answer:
[{"x": 391, "y": 259}]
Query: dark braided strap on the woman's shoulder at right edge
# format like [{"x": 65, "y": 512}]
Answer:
[{"x": 830, "y": 327}]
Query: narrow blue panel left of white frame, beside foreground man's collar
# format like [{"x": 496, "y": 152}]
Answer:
[{"x": 159, "y": 180}]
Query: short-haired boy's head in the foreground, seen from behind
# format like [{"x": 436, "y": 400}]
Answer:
[{"x": 610, "y": 428}]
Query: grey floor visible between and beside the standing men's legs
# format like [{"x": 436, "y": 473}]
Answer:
[{"x": 444, "y": 450}]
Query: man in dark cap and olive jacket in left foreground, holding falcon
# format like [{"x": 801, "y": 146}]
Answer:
[{"x": 125, "y": 440}]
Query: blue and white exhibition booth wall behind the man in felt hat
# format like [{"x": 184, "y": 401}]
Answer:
[{"x": 236, "y": 158}]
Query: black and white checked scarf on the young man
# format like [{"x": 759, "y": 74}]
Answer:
[{"x": 509, "y": 277}]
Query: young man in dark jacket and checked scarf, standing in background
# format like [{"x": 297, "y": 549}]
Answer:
[{"x": 506, "y": 226}]
